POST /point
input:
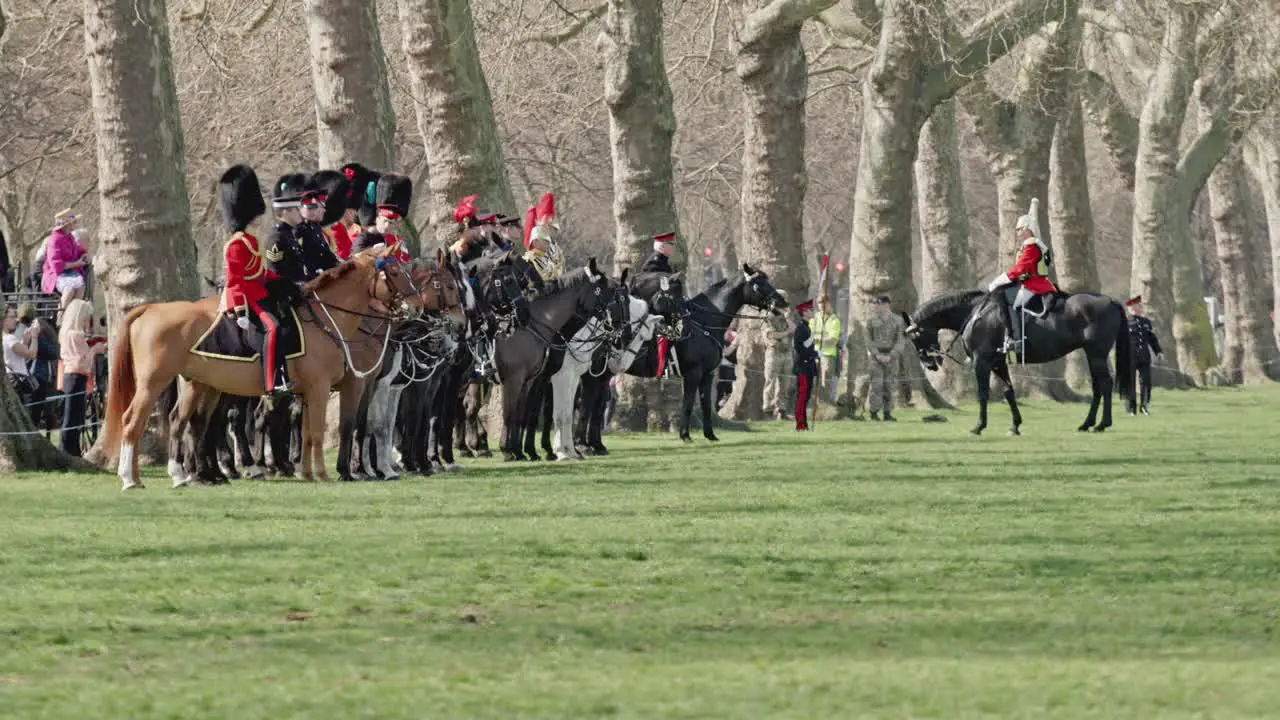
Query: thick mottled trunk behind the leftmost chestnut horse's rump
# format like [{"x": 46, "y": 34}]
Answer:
[{"x": 141, "y": 170}]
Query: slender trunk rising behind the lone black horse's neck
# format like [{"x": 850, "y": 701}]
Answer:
[{"x": 944, "y": 234}]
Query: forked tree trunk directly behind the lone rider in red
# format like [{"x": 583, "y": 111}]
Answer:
[{"x": 1018, "y": 139}]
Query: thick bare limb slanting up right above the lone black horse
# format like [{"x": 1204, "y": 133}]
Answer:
[{"x": 989, "y": 40}]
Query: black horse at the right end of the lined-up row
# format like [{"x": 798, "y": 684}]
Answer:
[{"x": 702, "y": 347}]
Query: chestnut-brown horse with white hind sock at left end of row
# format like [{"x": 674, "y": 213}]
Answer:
[{"x": 153, "y": 348}]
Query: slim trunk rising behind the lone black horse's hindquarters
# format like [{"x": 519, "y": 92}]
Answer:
[{"x": 1071, "y": 218}]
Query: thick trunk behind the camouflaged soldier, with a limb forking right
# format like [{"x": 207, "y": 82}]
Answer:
[{"x": 903, "y": 88}]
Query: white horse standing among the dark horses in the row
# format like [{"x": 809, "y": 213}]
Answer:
[{"x": 578, "y": 361}]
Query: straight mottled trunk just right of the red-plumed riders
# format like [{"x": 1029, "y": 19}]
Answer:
[{"x": 642, "y": 127}]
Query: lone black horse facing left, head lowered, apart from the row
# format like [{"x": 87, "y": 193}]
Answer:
[{"x": 1095, "y": 323}]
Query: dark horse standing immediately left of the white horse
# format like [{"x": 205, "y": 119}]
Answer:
[{"x": 522, "y": 357}]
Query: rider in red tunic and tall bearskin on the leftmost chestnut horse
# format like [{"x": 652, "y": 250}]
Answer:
[{"x": 248, "y": 274}]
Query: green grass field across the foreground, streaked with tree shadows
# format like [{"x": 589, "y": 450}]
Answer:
[{"x": 863, "y": 571}]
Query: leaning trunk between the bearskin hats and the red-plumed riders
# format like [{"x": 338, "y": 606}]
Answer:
[{"x": 455, "y": 112}]
